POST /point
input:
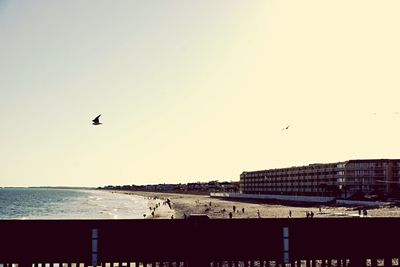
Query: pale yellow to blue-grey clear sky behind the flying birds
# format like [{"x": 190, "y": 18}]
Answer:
[{"x": 193, "y": 90}]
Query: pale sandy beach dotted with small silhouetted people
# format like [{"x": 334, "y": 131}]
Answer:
[{"x": 186, "y": 204}]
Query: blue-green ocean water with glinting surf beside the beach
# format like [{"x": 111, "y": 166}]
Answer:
[{"x": 41, "y": 203}]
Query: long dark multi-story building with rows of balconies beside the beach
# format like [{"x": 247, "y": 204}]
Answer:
[{"x": 346, "y": 179}]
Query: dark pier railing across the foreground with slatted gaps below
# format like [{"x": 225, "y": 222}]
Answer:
[{"x": 200, "y": 241}]
